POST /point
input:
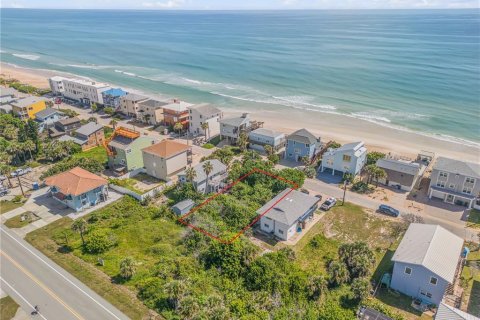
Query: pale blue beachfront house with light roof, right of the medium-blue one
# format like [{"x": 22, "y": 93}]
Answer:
[{"x": 349, "y": 158}]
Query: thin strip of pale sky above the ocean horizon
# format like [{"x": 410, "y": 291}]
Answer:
[{"x": 239, "y": 4}]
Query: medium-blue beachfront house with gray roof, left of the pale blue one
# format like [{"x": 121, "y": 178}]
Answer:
[{"x": 301, "y": 144}]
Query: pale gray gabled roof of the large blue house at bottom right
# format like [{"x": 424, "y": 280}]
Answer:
[{"x": 432, "y": 247}]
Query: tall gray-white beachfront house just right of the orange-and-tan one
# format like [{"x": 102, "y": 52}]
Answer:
[{"x": 201, "y": 114}]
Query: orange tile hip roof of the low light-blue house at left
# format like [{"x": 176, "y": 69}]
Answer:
[{"x": 75, "y": 181}]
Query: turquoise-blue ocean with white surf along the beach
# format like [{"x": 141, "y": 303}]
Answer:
[{"x": 417, "y": 70}]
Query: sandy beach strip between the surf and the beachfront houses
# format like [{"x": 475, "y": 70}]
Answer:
[{"x": 328, "y": 126}]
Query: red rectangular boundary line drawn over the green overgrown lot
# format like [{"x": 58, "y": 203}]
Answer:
[{"x": 293, "y": 185}]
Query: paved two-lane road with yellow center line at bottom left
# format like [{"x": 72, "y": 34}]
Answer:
[{"x": 30, "y": 278}]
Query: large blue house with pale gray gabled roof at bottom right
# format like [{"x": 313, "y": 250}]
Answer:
[{"x": 427, "y": 261}]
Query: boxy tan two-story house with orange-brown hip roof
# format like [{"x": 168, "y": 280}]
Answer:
[{"x": 166, "y": 158}]
